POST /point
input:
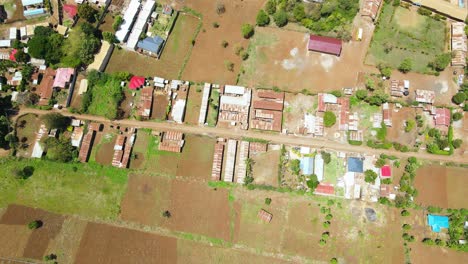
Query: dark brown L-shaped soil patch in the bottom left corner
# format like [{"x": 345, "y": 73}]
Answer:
[{"x": 39, "y": 238}]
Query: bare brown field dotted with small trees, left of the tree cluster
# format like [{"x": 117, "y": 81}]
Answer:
[{"x": 207, "y": 61}]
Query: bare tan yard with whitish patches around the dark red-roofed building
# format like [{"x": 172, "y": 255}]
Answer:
[{"x": 280, "y": 58}]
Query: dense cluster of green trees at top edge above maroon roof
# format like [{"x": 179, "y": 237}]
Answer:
[{"x": 331, "y": 16}]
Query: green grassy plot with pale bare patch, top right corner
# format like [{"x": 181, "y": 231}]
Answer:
[{"x": 403, "y": 33}]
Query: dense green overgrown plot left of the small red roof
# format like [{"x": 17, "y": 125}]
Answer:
[{"x": 104, "y": 95}]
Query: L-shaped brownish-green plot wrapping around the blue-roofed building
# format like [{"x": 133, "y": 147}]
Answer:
[{"x": 172, "y": 58}]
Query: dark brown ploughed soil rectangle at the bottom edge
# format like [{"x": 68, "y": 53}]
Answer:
[{"x": 109, "y": 244}]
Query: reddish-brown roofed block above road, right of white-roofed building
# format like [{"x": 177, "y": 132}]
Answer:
[{"x": 267, "y": 112}]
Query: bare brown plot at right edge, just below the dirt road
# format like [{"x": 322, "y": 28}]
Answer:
[{"x": 441, "y": 186}]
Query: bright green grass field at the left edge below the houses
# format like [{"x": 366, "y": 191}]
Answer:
[{"x": 89, "y": 190}]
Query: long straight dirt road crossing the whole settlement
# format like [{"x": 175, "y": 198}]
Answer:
[{"x": 272, "y": 137}]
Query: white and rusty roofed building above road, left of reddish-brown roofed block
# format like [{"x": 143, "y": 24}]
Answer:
[{"x": 234, "y": 106}]
